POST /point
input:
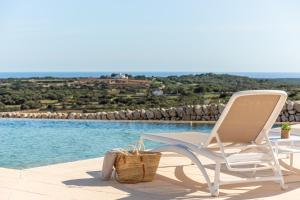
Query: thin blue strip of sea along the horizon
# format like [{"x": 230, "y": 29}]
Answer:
[{"x": 258, "y": 75}]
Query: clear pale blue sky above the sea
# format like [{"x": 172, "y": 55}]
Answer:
[{"x": 150, "y": 35}]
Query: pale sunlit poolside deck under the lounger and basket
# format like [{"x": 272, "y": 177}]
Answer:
[{"x": 81, "y": 180}]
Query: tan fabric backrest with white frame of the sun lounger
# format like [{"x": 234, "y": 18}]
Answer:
[{"x": 247, "y": 115}]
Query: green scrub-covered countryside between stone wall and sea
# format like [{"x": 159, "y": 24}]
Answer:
[{"x": 113, "y": 93}]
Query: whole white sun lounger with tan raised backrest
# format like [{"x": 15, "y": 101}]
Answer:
[{"x": 239, "y": 139}]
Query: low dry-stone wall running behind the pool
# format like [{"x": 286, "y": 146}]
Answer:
[{"x": 290, "y": 112}]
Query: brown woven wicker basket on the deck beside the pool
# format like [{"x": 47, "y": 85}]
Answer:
[{"x": 136, "y": 167}]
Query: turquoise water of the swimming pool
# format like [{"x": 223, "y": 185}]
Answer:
[{"x": 30, "y": 143}]
